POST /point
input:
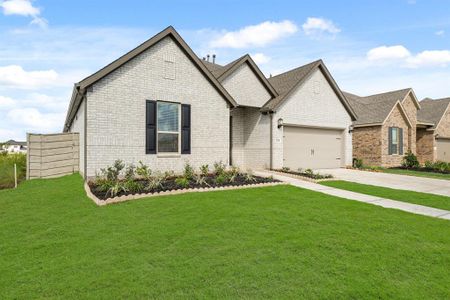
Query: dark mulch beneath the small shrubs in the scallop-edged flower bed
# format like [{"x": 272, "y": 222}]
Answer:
[{"x": 170, "y": 185}]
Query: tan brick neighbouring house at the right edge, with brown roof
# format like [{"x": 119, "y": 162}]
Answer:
[{"x": 392, "y": 123}]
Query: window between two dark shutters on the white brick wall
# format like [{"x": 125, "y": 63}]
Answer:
[{"x": 168, "y": 127}]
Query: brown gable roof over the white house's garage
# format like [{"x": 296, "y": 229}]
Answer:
[{"x": 285, "y": 83}]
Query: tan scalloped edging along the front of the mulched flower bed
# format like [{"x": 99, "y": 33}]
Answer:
[{"x": 99, "y": 202}]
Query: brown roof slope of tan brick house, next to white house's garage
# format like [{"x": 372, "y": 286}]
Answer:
[{"x": 374, "y": 109}]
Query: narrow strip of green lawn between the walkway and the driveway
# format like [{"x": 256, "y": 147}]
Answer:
[{"x": 431, "y": 200}]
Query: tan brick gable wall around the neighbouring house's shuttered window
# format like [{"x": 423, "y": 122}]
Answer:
[{"x": 395, "y": 119}]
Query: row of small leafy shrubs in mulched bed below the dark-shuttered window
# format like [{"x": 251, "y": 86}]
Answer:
[{"x": 119, "y": 179}]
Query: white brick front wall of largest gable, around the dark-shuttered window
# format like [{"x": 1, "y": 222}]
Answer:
[{"x": 116, "y": 111}]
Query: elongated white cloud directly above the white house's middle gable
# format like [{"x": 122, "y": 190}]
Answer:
[{"x": 255, "y": 35}]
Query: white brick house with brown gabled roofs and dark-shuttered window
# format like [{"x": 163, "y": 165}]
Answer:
[{"x": 162, "y": 105}]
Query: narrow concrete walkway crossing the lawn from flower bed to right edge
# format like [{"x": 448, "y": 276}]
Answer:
[{"x": 408, "y": 207}]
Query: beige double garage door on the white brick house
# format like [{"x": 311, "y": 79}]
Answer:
[{"x": 312, "y": 148}]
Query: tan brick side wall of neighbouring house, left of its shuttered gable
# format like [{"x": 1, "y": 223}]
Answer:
[{"x": 367, "y": 145}]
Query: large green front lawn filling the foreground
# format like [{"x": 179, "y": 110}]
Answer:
[{"x": 274, "y": 242}]
